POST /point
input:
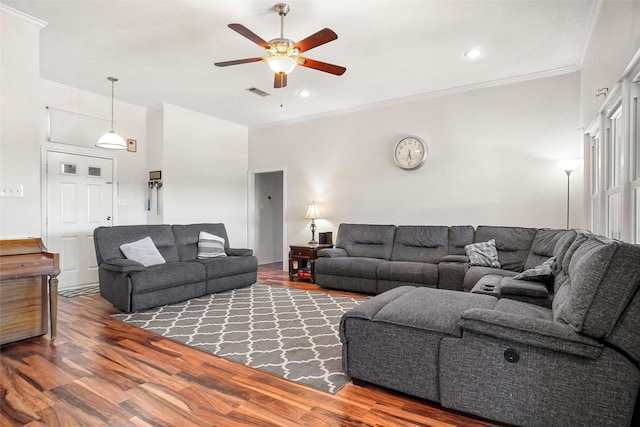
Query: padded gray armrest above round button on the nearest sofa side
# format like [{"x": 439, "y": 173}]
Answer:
[{"x": 530, "y": 331}]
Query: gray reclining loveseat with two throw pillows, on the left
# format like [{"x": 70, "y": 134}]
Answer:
[{"x": 130, "y": 286}]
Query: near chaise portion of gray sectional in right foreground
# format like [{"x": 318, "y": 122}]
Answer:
[{"x": 573, "y": 364}]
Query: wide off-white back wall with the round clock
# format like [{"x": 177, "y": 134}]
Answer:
[{"x": 492, "y": 156}]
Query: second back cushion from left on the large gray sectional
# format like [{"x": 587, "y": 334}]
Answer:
[{"x": 420, "y": 243}]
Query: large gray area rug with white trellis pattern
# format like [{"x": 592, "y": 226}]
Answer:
[{"x": 287, "y": 332}]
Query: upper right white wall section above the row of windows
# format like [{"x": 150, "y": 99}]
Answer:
[{"x": 614, "y": 41}]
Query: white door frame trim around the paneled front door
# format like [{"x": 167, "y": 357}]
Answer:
[{"x": 77, "y": 151}]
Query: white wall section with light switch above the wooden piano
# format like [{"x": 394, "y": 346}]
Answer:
[{"x": 19, "y": 115}]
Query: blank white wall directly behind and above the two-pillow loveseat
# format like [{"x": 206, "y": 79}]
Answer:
[{"x": 204, "y": 171}]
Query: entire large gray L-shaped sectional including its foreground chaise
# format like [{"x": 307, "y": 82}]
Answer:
[{"x": 494, "y": 346}]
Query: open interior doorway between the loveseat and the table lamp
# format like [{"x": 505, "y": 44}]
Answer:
[{"x": 267, "y": 232}]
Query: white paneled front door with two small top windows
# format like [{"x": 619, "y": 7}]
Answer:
[{"x": 79, "y": 199}]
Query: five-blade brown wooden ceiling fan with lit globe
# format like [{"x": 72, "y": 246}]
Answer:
[{"x": 283, "y": 54}]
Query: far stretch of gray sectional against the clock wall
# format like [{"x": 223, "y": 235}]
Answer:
[{"x": 372, "y": 259}]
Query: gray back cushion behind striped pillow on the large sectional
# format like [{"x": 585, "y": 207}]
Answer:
[{"x": 513, "y": 244}]
